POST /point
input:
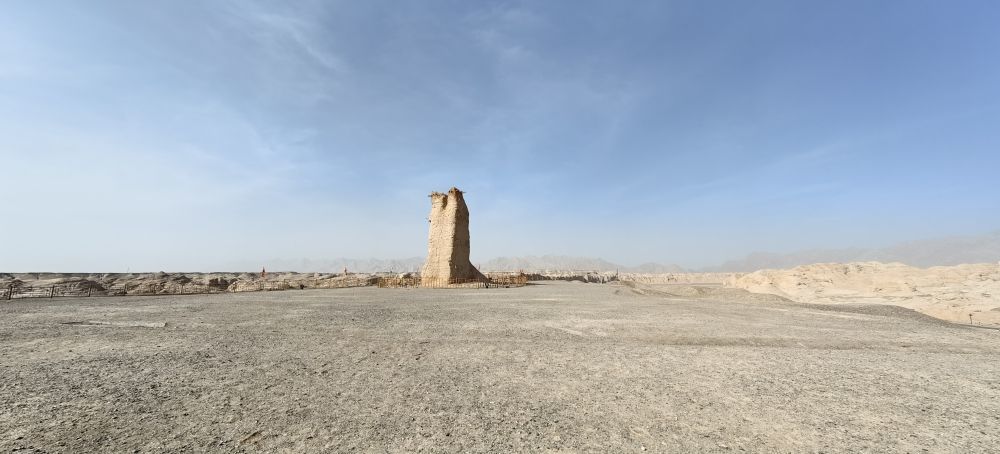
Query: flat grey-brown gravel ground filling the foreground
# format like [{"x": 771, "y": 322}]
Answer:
[{"x": 554, "y": 366}]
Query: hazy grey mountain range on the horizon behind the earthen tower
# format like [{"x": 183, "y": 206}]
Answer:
[{"x": 932, "y": 252}]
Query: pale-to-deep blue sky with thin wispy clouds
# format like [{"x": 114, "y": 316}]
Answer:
[{"x": 202, "y": 135}]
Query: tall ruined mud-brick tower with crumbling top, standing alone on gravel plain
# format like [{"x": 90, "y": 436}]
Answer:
[{"x": 448, "y": 245}]
